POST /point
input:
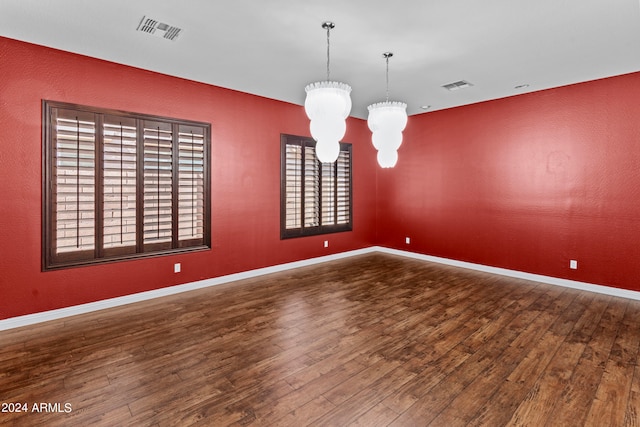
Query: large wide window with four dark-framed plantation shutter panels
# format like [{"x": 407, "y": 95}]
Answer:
[{"x": 121, "y": 185}]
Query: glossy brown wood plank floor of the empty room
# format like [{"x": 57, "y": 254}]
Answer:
[{"x": 374, "y": 340}]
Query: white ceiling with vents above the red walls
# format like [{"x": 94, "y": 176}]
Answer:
[{"x": 274, "y": 48}]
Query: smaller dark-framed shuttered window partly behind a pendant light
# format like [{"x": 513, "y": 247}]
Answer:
[{"x": 315, "y": 197}]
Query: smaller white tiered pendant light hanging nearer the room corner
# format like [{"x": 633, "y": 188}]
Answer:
[{"x": 386, "y": 121}]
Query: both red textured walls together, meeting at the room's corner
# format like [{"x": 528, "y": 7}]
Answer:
[{"x": 525, "y": 183}]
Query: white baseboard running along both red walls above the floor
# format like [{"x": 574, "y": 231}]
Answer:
[{"x": 45, "y": 316}]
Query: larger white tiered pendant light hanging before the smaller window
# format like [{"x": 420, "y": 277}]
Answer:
[{"x": 327, "y": 105}]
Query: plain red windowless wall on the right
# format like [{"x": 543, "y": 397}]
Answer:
[{"x": 525, "y": 183}]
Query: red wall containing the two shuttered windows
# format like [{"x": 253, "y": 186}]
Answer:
[{"x": 245, "y": 180}]
